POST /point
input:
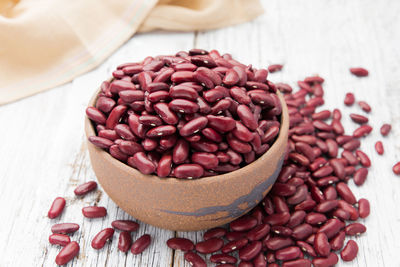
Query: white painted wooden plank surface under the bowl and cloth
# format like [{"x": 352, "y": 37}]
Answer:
[{"x": 43, "y": 152}]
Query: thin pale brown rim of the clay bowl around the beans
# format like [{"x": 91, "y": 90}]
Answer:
[{"x": 90, "y": 131}]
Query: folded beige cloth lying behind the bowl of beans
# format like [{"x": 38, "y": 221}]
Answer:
[{"x": 45, "y": 43}]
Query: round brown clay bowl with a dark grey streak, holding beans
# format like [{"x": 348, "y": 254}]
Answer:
[{"x": 186, "y": 205}]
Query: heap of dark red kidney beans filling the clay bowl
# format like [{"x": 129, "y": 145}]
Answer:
[{"x": 189, "y": 115}]
